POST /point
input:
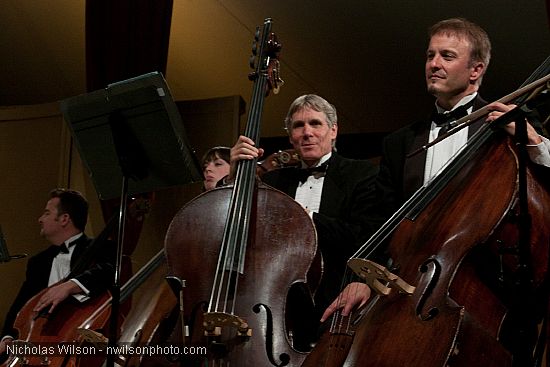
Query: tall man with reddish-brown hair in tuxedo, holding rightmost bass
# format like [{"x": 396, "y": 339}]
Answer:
[{"x": 457, "y": 57}]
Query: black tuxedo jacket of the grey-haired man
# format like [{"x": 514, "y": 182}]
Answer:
[{"x": 347, "y": 215}]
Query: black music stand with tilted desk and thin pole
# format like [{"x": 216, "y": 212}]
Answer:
[{"x": 131, "y": 139}]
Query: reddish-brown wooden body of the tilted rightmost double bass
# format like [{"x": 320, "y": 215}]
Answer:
[{"x": 454, "y": 316}]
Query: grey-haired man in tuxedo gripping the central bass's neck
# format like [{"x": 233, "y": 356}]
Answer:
[{"x": 338, "y": 193}]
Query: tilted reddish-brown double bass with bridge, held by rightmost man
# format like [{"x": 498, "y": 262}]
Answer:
[{"x": 469, "y": 269}]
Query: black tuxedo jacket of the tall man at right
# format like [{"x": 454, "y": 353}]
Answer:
[{"x": 400, "y": 176}]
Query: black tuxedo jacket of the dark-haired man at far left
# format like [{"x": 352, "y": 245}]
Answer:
[{"x": 97, "y": 277}]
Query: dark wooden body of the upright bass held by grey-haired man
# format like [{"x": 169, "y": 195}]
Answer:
[{"x": 282, "y": 245}]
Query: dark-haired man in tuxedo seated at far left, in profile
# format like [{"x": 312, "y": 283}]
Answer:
[{"x": 67, "y": 267}]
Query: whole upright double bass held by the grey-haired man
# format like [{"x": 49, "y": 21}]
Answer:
[{"x": 237, "y": 250}]
